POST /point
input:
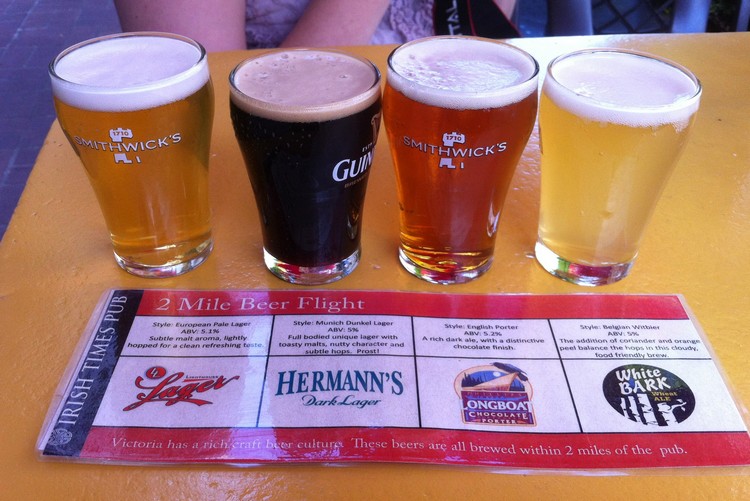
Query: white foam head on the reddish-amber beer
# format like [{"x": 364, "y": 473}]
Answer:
[{"x": 462, "y": 72}]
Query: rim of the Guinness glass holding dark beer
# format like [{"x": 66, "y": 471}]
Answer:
[{"x": 275, "y": 109}]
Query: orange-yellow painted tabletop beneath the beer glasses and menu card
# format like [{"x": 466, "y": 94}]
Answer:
[{"x": 56, "y": 261}]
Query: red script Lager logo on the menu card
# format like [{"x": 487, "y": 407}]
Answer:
[{"x": 175, "y": 388}]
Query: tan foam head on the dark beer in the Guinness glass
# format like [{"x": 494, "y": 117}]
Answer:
[{"x": 304, "y": 85}]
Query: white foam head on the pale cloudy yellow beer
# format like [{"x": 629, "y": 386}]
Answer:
[{"x": 623, "y": 87}]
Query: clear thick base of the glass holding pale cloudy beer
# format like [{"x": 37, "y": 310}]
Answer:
[{"x": 580, "y": 274}]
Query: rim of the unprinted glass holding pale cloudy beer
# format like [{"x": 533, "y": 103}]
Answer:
[{"x": 679, "y": 104}]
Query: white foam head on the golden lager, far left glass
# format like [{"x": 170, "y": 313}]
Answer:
[{"x": 128, "y": 72}]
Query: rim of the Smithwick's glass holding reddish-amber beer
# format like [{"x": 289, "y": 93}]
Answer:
[{"x": 465, "y": 97}]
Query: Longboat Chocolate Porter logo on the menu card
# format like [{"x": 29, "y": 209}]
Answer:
[{"x": 498, "y": 394}]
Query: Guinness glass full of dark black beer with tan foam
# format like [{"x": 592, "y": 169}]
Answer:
[{"x": 306, "y": 122}]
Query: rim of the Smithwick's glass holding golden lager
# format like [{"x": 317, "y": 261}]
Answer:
[{"x": 200, "y": 64}]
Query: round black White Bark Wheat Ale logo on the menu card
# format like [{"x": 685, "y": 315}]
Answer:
[{"x": 648, "y": 395}]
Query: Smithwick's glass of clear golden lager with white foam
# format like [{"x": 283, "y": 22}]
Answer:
[{"x": 138, "y": 109}]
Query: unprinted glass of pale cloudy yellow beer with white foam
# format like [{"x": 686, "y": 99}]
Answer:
[{"x": 612, "y": 126}]
